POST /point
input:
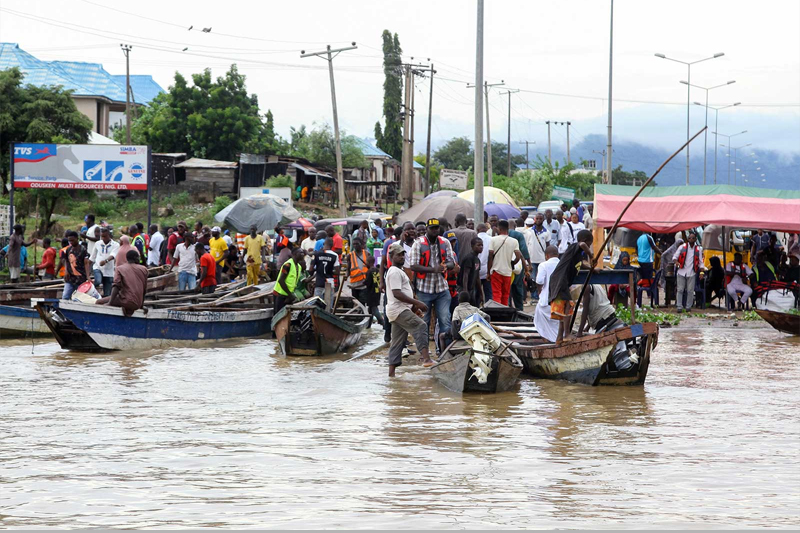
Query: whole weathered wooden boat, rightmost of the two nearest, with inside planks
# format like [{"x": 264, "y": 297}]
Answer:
[{"x": 588, "y": 359}]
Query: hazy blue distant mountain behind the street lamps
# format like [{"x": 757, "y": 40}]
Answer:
[{"x": 780, "y": 171}]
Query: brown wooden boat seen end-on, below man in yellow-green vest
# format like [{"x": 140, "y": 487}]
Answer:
[{"x": 306, "y": 328}]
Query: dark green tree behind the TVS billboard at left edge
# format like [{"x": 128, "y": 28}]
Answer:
[{"x": 40, "y": 115}]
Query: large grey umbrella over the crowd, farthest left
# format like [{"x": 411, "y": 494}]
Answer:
[{"x": 265, "y": 211}]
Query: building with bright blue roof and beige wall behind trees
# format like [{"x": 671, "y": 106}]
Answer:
[{"x": 97, "y": 94}]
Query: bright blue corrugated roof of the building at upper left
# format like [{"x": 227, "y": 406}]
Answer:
[{"x": 85, "y": 79}]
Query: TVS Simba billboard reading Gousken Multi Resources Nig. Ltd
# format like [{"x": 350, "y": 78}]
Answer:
[{"x": 80, "y": 166}]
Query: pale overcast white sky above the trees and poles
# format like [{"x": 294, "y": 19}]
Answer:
[{"x": 539, "y": 46}]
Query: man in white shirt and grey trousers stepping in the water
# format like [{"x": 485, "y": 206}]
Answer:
[{"x": 403, "y": 310}]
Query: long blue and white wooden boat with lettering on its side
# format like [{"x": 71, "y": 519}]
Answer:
[{"x": 88, "y": 327}]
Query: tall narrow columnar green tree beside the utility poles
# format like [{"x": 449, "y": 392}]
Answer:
[{"x": 390, "y": 140}]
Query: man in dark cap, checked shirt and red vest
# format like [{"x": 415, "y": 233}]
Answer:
[{"x": 431, "y": 256}]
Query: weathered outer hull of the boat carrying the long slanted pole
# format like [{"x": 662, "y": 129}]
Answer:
[{"x": 588, "y": 359}]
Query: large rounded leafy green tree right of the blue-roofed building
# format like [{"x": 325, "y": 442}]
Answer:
[{"x": 214, "y": 119}]
